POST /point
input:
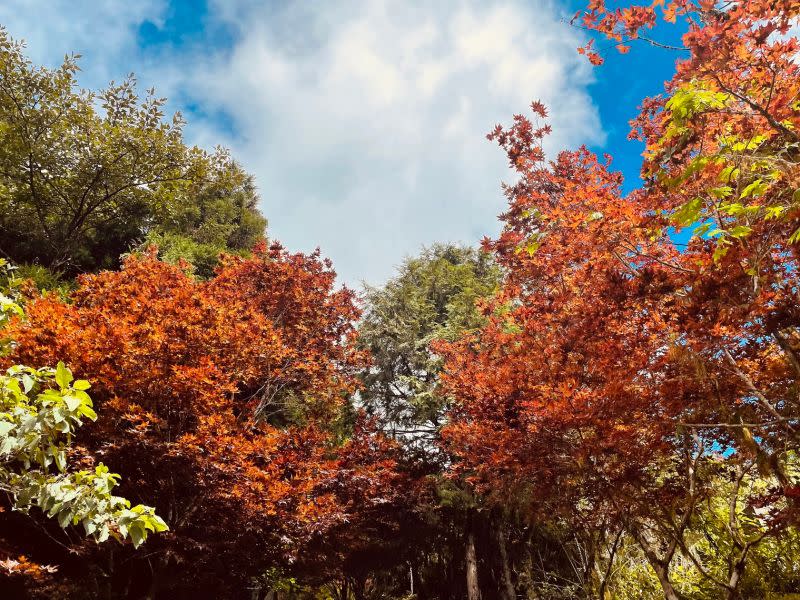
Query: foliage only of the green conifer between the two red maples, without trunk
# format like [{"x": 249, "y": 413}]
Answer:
[{"x": 434, "y": 296}]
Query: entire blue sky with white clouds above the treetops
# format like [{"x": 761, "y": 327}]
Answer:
[{"x": 363, "y": 122}]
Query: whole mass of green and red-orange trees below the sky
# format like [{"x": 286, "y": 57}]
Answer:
[{"x": 583, "y": 407}]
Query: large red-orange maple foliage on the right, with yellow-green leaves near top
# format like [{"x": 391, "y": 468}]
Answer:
[{"x": 617, "y": 361}]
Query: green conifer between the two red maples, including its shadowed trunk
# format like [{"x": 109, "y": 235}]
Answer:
[{"x": 434, "y": 296}]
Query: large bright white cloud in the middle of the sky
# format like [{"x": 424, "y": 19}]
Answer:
[{"x": 366, "y": 128}]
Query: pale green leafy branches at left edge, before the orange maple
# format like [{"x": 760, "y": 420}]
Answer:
[{"x": 41, "y": 410}]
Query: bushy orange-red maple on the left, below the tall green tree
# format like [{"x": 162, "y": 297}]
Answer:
[{"x": 215, "y": 400}]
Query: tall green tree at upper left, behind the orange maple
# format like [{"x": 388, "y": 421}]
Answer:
[{"x": 86, "y": 176}]
